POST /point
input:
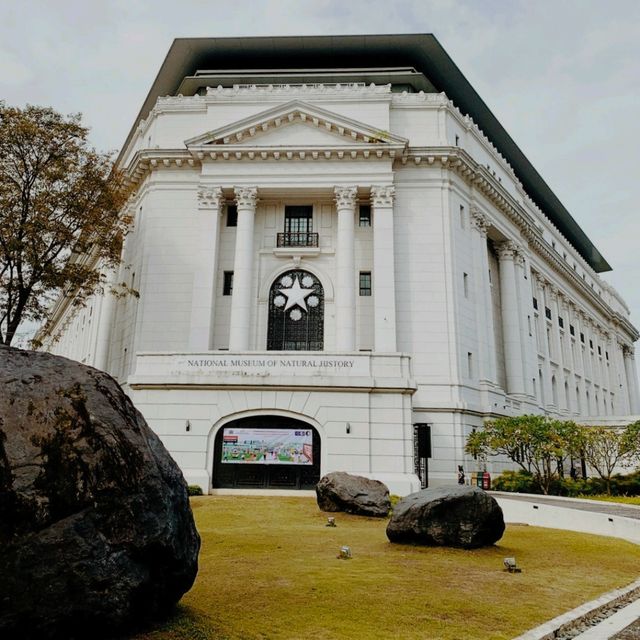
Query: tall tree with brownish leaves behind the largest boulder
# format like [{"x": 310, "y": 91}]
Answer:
[{"x": 59, "y": 213}]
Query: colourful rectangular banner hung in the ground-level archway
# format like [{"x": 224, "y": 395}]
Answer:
[{"x": 267, "y": 446}]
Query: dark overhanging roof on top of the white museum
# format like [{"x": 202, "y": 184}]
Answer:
[{"x": 420, "y": 51}]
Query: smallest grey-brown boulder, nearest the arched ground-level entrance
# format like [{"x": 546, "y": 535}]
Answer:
[{"x": 340, "y": 491}]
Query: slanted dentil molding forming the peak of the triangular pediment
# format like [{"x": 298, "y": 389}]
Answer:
[{"x": 298, "y": 111}]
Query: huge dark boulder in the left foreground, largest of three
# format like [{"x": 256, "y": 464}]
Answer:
[{"x": 96, "y": 531}]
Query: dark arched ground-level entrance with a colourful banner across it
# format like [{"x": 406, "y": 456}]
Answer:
[{"x": 266, "y": 452}]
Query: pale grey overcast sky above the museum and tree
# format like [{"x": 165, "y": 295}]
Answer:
[{"x": 563, "y": 77}]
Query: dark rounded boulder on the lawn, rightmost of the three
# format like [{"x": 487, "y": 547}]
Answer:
[{"x": 449, "y": 516}]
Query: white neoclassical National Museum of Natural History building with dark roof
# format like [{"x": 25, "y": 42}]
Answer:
[{"x": 343, "y": 262}]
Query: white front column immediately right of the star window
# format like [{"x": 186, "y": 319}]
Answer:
[{"x": 345, "y": 294}]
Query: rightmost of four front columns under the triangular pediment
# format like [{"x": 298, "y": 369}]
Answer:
[{"x": 384, "y": 278}]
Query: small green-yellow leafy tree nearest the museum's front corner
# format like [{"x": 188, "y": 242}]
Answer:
[{"x": 538, "y": 444}]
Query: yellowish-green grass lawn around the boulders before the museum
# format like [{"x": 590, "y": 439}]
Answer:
[{"x": 268, "y": 570}]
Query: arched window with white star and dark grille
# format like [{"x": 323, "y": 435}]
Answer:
[{"x": 296, "y": 313}]
